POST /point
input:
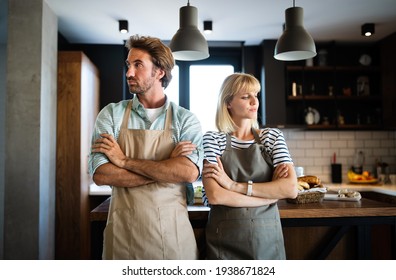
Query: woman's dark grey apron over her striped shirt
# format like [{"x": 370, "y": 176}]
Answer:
[{"x": 245, "y": 233}]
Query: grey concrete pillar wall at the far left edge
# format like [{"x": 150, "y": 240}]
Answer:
[{"x": 30, "y": 133}]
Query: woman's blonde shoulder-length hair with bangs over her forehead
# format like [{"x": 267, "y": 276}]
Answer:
[{"x": 232, "y": 85}]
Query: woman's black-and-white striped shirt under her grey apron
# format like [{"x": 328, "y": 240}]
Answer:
[{"x": 214, "y": 144}]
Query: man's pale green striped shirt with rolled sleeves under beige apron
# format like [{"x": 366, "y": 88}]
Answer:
[{"x": 185, "y": 126}]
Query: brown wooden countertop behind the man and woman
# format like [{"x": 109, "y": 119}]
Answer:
[{"x": 326, "y": 209}]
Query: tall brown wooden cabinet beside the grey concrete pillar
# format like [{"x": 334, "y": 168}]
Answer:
[{"x": 77, "y": 107}]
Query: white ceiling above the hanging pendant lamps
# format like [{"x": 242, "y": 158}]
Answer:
[{"x": 250, "y": 21}]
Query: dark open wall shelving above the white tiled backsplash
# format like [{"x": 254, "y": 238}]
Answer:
[{"x": 341, "y": 92}]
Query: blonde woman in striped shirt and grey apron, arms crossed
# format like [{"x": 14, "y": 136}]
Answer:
[{"x": 246, "y": 170}]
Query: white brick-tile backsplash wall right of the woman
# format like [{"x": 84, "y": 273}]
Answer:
[{"x": 314, "y": 149}]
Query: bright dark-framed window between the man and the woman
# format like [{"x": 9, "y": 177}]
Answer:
[{"x": 196, "y": 84}]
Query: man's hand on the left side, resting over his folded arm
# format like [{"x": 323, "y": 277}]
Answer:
[{"x": 109, "y": 146}]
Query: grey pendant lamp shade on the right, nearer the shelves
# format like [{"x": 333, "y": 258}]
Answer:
[{"x": 295, "y": 43}]
